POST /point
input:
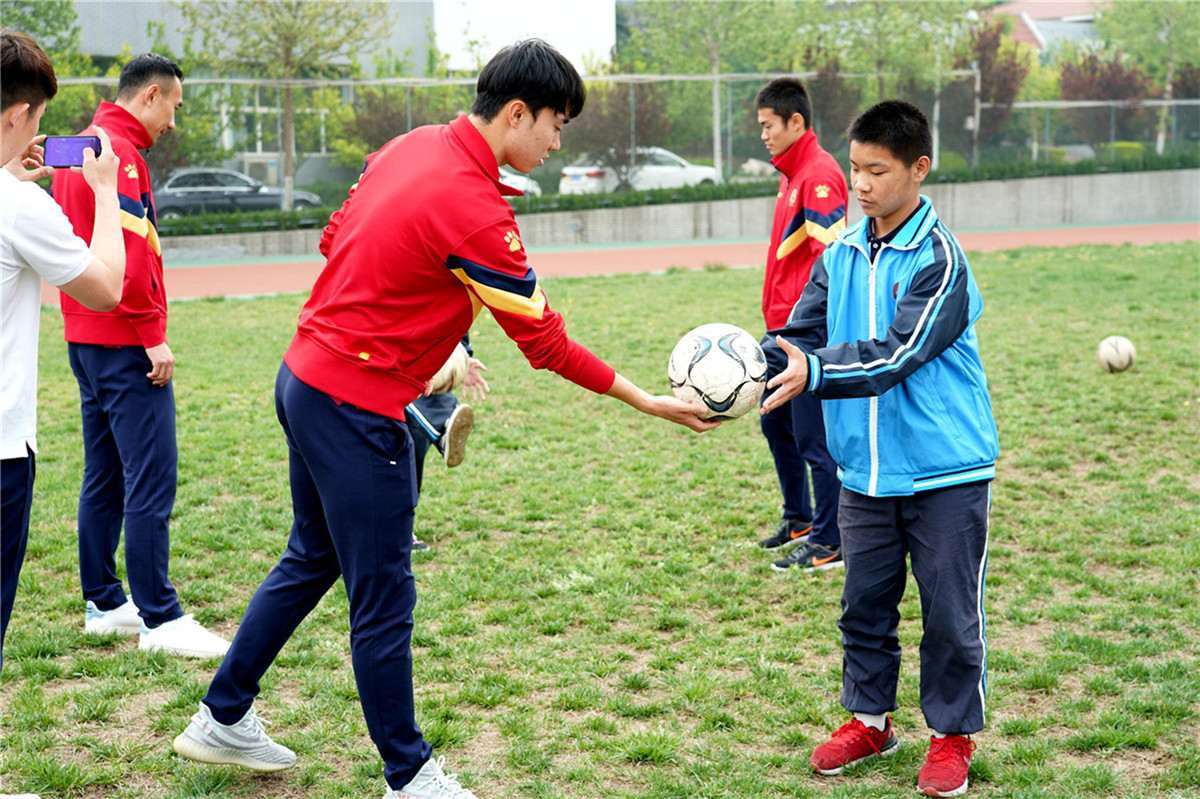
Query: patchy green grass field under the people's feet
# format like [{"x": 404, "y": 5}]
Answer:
[{"x": 595, "y": 618}]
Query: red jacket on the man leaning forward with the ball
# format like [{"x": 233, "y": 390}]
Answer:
[{"x": 423, "y": 244}]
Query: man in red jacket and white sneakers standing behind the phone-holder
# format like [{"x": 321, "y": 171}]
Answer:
[{"x": 124, "y": 368}]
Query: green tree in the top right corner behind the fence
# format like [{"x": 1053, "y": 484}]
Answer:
[{"x": 1161, "y": 38}]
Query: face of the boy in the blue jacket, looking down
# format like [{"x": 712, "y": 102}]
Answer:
[{"x": 885, "y": 188}]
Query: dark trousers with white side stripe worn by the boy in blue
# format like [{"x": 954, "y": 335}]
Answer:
[{"x": 945, "y": 534}]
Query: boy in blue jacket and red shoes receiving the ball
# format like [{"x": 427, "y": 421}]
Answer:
[{"x": 885, "y": 337}]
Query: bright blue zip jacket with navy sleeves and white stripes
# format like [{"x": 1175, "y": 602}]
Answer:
[{"x": 893, "y": 356}]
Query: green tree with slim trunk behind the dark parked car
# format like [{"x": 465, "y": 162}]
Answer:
[{"x": 286, "y": 40}]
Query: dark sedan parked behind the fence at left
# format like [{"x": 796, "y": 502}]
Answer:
[{"x": 199, "y": 190}]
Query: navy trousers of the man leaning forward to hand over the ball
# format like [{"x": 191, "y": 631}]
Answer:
[{"x": 353, "y": 496}]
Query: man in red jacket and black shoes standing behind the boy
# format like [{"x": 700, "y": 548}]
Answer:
[{"x": 811, "y": 212}]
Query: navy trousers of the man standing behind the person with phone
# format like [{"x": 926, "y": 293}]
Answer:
[{"x": 129, "y": 477}]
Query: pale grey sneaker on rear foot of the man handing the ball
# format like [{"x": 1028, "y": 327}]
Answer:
[{"x": 247, "y": 743}]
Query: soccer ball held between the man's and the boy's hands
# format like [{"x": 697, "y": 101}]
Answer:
[{"x": 722, "y": 367}]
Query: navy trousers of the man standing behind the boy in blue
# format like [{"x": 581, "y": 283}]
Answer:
[{"x": 796, "y": 437}]
